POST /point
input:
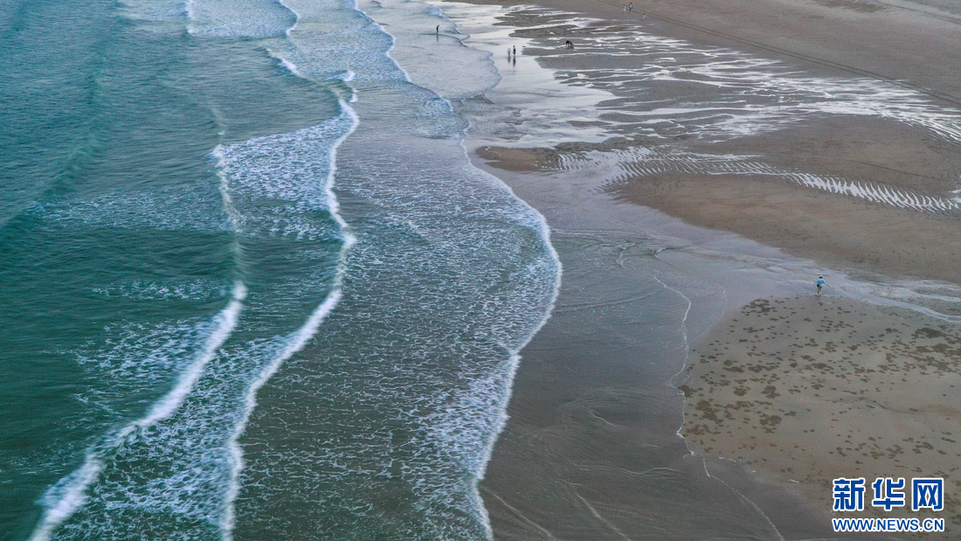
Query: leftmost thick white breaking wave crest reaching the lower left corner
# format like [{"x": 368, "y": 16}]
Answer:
[{"x": 69, "y": 494}]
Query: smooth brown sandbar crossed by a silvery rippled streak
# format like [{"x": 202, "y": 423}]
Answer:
[{"x": 842, "y": 232}]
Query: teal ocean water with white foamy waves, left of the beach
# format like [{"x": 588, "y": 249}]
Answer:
[{"x": 252, "y": 287}]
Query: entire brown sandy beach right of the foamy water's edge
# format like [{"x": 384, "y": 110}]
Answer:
[{"x": 783, "y": 391}]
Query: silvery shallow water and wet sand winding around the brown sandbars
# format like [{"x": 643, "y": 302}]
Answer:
[{"x": 595, "y": 418}]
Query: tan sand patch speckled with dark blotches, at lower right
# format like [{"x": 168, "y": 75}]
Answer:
[{"x": 810, "y": 389}]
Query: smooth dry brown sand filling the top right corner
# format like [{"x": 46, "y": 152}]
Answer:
[{"x": 909, "y": 43}]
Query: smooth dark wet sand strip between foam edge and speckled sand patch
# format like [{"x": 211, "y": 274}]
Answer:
[{"x": 591, "y": 450}]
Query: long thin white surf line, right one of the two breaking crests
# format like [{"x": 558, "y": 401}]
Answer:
[{"x": 296, "y": 340}]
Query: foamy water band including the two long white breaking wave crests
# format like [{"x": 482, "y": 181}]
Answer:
[{"x": 182, "y": 457}]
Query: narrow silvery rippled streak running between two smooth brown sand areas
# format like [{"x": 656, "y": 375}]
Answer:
[{"x": 620, "y": 166}]
